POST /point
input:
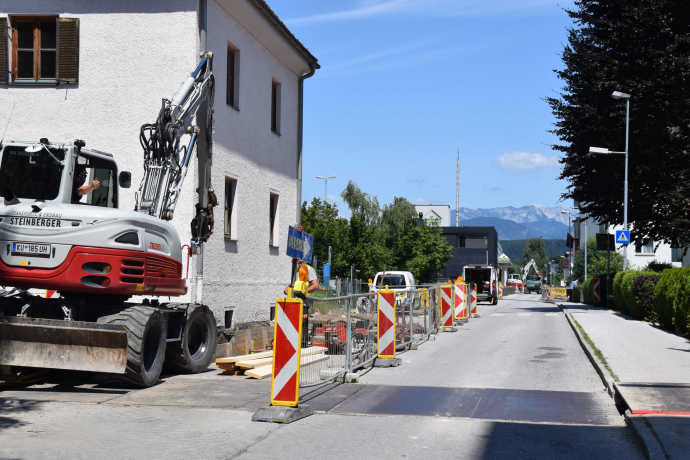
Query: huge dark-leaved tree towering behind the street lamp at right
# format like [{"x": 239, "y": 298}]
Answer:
[{"x": 639, "y": 47}]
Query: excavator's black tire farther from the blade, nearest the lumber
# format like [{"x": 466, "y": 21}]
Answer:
[{"x": 196, "y": 350}]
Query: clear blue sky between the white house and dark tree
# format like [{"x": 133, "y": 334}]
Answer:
[{"x": 404, "y": 84}]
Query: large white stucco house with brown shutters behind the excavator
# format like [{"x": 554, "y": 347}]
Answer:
[{"x": 97, "y": 71}]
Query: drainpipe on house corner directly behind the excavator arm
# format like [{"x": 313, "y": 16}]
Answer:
[{"x": 202, "y": 153}]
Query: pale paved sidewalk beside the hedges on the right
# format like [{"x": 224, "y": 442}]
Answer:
[{"x": 652, "y": 375}]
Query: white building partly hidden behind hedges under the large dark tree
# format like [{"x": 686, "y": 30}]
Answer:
[{"x": 640, "y": 251}]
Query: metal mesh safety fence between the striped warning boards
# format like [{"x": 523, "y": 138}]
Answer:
[{"x": 339, "y": 334}]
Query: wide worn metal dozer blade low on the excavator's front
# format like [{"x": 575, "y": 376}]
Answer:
[{"x": 55, "y": 344}]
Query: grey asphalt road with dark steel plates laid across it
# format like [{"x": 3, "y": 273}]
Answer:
[{"x": 513, "y": 383}]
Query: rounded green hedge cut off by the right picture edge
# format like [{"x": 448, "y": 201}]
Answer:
[{"x": 672, "y": 299}]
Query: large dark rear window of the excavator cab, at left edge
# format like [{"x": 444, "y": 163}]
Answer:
[{"x": 31, "y": 175}]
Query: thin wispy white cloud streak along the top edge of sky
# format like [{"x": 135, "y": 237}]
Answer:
[{"x": 373, "y": 9}]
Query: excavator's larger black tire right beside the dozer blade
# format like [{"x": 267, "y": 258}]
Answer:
[{"x": 146, "y": 334}]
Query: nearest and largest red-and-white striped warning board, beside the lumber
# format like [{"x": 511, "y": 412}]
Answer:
[{"x": 286, "y": 352}]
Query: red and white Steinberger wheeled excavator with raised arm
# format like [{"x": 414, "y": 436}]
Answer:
[{"x": 98, "y": 258}]
